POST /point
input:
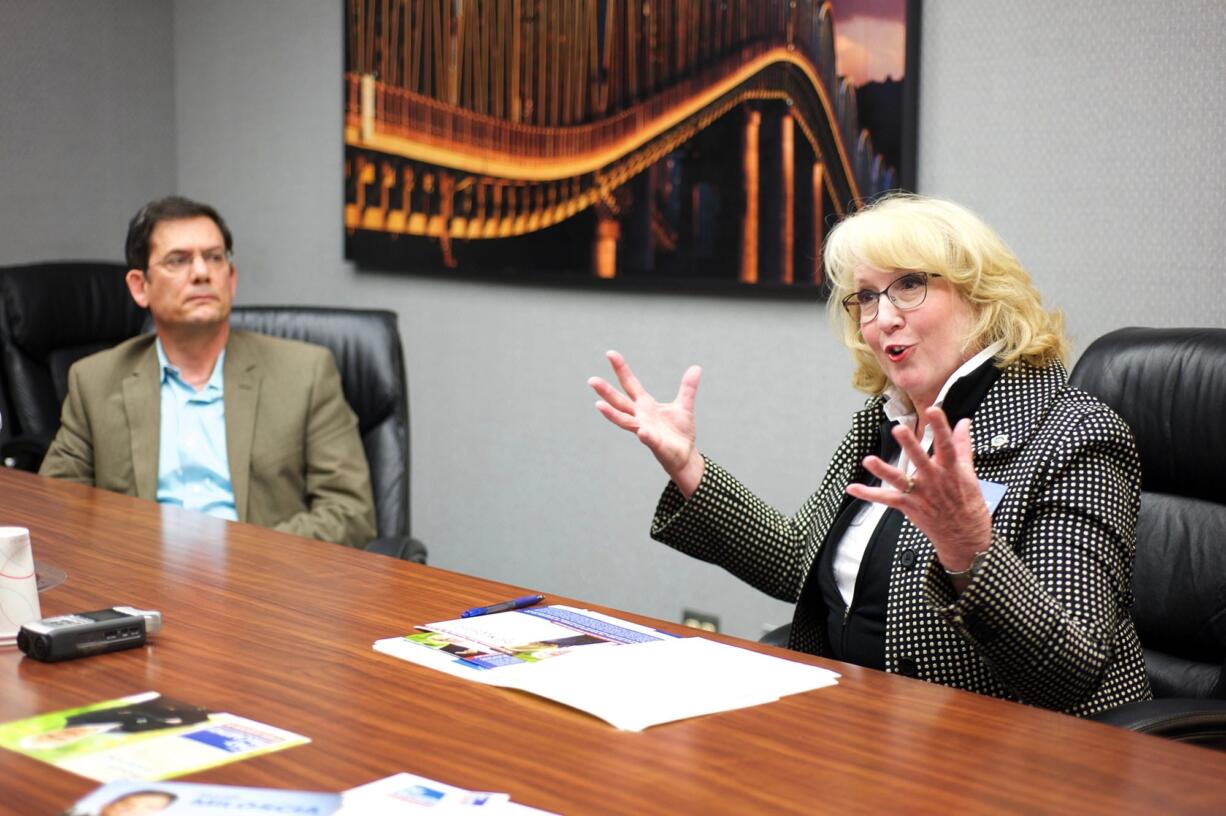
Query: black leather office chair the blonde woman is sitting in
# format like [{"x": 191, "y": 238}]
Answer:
[{"x": 1170, "y": 387}]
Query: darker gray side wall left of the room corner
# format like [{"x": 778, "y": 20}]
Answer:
[{"x": 86, "y": 123}]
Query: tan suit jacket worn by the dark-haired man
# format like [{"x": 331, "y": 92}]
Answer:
[{"x": 296, "y": 459}]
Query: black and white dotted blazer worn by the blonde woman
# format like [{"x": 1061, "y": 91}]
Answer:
[{"x": 1046, "y": 622}]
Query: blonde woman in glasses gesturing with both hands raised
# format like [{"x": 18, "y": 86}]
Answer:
[{"x": 977, "y": 526}]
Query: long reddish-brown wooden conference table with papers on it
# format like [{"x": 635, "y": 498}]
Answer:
[{"x": 279, "y": 629}]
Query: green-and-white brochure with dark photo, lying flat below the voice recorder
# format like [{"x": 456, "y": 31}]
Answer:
[{"x": 143, "y": 737}]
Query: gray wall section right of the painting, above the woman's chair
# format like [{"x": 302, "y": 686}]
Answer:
[{"x": 1093, "y": 137}]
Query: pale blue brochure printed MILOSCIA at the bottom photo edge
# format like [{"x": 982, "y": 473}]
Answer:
[{"x": 191, "y": 799}]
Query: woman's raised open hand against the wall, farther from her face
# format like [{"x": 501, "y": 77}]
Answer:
[{"x": 668, "y": 429}]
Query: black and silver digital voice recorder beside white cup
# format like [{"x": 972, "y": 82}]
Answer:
[{"x": 83, "y": 634}]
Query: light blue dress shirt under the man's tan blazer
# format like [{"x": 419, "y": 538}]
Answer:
[{"x": 193, "y": 469}]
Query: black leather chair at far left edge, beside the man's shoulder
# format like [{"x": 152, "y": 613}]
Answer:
[{"x": 51, "y": 317}]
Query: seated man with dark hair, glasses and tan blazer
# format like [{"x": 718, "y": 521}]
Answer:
[{"x": 264, "y": 438}]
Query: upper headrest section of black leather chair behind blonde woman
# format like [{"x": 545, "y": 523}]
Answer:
[{"x": 1170, "y": 387}]
